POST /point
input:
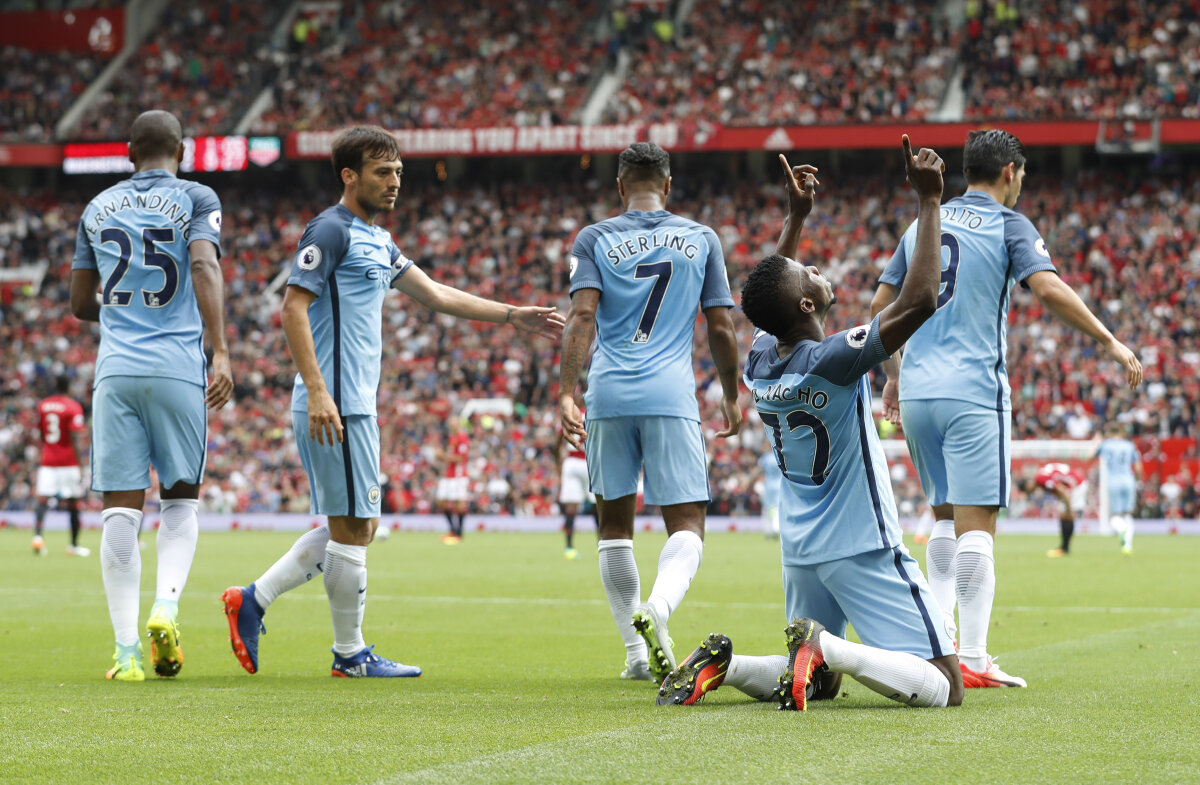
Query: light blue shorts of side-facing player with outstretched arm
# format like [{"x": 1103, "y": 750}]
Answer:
[{"x": 344, "y": 480}]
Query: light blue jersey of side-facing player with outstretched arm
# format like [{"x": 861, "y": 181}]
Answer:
[{"x": 350, "y": 266}]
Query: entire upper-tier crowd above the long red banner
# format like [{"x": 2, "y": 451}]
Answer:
[{"x": 739, "y": 63}]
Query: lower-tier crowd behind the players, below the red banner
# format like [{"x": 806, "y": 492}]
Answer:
[{"x": 1132, "y": 253}]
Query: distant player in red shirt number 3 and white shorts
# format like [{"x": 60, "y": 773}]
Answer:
[{"x": 61, "y": 475}]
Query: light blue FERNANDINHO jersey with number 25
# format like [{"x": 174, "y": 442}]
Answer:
[{"x": 136, "y": 237}]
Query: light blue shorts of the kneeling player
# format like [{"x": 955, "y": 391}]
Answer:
[{"x": 883, "y": 594}]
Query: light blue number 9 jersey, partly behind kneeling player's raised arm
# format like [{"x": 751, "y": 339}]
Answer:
[{"x": 959, "y": 353}]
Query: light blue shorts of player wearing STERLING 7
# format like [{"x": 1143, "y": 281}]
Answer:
[{"x": 671, "y": 448}]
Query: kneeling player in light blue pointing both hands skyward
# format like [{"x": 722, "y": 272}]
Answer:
[{"x": 844, "y": 556}]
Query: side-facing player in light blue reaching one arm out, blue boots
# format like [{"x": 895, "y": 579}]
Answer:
[{"x": 333, "y": 315}]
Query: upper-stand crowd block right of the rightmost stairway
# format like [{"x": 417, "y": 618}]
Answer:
[{"x": 1111, "y": 59}]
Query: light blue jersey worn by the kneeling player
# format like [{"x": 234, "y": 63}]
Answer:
[{"x": 815, "y": 404}]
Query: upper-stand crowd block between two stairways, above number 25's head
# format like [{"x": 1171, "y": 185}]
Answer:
[{"x": 207, "y": 61}]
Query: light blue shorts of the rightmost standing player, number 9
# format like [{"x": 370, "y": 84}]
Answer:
[{"x": 961, "y": 451}]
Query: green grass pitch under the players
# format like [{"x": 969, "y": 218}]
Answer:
[{"x": 521, "y": 661}]
